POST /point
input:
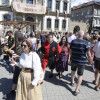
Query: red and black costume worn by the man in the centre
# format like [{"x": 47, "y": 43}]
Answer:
[{"x": 50, "y": 51}]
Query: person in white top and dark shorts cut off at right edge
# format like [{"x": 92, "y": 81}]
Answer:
[{"x": 96, "y": 50}]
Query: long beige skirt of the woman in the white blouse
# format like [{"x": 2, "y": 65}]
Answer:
[{"x": 25, "y": 90}]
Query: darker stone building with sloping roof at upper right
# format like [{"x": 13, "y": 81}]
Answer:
[{"x": 87, "y": 14}]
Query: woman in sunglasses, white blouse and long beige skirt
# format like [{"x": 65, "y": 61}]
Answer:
[{"x": 28, "y": 87}]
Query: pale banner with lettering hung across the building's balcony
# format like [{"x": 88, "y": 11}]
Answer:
[{"x": 28, "y": 8}]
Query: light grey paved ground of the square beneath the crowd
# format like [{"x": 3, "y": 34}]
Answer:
[{"x": 55, "y": 89}]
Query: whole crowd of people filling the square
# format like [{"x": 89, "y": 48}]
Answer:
[{"x": 28, "y": 56}]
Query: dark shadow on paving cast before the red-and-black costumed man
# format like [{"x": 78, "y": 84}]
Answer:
[{"x": 56, "y": 81}]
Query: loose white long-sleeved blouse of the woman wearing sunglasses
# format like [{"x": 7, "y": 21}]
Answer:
[{"x": 26, "y": 62}]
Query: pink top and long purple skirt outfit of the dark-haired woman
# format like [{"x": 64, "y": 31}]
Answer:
[{"x": 62, "y": 64}]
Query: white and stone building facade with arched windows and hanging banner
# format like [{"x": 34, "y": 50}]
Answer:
[{"x": 55, "y": 18}]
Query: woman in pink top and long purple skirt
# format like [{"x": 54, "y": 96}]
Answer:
[{"x": 62, "y": 64}]
